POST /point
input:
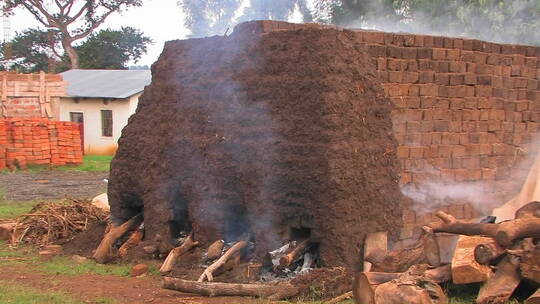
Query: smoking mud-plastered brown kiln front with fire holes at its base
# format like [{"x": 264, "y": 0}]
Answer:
[{"x": 279, "y": 136}]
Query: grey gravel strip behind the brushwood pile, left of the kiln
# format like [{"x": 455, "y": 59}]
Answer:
[{"x": 24, "y": 186}]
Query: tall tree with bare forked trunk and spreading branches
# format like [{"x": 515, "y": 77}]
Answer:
[{"x": 74, "y": 19}]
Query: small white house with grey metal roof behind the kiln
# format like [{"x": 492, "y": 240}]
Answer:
[{"x": 102, "y": 101}]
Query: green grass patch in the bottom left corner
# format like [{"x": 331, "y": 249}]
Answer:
[{"x": 14, "y": 294}]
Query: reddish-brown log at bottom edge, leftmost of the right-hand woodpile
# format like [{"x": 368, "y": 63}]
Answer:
[{"x": 365, "y": 283}]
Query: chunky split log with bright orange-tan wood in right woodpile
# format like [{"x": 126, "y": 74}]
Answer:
[{"x": 465, "y": 268}]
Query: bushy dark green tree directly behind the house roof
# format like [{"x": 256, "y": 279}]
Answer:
[{"x": 112, "y": 49}]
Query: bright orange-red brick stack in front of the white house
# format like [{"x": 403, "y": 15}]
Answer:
[{"x": 38, "y": 141}]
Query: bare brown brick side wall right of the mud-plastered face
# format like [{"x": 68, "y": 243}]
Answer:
[{"x": 465, "y": 113}]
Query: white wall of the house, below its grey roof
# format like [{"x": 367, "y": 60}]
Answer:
[{"x": 94, "y": 141}]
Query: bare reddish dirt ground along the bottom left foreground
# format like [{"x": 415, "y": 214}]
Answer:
[{"x": 125, "y": 290}]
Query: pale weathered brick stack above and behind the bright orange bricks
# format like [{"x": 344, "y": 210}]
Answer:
[{"x": 30, "y": 95}]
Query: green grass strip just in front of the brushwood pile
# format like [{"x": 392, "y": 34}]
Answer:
[{"x": 65, "y": 266}]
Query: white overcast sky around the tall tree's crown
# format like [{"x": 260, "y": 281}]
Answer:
[{"x": 161, "y": 20}]
